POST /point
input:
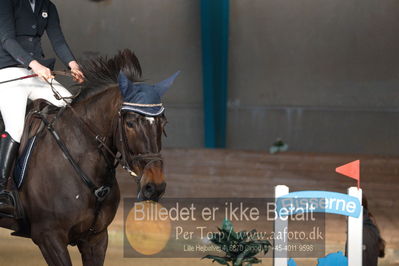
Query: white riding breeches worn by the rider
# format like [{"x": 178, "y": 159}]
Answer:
[{"x": 14, "y": 96}]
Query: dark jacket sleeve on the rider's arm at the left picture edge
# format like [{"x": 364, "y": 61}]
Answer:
[{"x": 7, "y": 34}]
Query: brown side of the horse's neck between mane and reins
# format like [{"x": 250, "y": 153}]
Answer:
[{"x": 100, "y": 110}]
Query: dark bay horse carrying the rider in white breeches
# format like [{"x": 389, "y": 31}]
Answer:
[{"x": 59, "y": 208}]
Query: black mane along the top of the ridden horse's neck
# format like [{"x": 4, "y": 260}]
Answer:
[{"x": 102, "y": 72}]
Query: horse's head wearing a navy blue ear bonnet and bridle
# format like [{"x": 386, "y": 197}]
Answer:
[{"x": 141, "y": 124}]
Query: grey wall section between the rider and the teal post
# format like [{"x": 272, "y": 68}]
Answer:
[{"x": 164, "y": 34}]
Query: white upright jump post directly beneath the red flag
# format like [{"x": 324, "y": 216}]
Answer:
[{"x": 355, "y": 232}]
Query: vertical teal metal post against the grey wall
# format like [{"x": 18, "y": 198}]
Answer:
[{"x": 215, "y": 33}]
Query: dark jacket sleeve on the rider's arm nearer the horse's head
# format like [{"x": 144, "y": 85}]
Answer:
[{"x": 56, "y": 36}]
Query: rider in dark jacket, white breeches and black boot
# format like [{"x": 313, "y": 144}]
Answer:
[{"x": 22, "y": 23}]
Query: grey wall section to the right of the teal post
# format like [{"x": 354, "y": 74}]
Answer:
[{"x": 323, "y": 75}]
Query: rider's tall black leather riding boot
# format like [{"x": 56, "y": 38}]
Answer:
[{"x": 8, "y": 152}]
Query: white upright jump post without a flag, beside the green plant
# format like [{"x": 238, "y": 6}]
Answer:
[{"x": 280, "y": 250}]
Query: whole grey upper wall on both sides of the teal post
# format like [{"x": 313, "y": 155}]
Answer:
[{"x": 322, "y": 75}]
